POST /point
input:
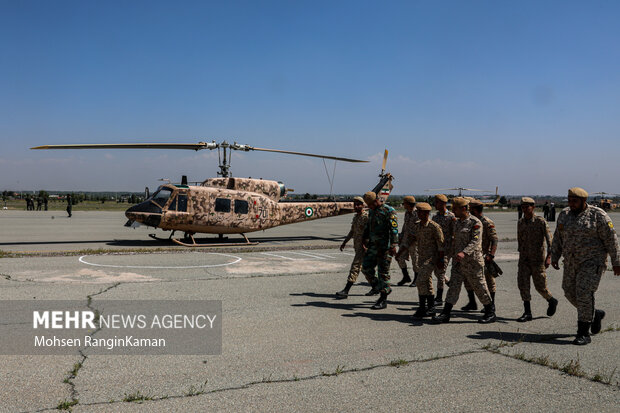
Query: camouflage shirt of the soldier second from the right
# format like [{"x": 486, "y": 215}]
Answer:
[{"x": 532, "y": 236}]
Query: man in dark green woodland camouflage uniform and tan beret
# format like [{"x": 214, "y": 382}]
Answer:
[{"x": 380, "y": 240}]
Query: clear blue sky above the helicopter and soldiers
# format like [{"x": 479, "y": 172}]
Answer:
[{"x": 521, "y": 95}]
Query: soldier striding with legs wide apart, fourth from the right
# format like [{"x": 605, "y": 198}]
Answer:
[{"x": 468, "y": 263}]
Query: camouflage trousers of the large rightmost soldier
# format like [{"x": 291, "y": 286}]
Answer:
[{"x": 580, "y": 282}]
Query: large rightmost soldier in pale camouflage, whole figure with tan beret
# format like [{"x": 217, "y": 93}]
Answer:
[{"x": 584, "y": 236}]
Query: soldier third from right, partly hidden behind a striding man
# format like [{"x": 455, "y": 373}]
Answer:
[{"x": 489, "y": 247}]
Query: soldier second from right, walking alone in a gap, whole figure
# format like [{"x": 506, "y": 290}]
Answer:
[{"x": 532, "y": 235}]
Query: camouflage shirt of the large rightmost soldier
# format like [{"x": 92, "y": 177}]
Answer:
[{"x": 588, "y": 235}]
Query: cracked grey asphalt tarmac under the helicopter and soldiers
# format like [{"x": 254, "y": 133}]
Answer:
[{"x": 288, "y": 344}]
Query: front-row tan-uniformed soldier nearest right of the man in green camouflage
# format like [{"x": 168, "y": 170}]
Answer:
[{"x": 428, "y": 241}]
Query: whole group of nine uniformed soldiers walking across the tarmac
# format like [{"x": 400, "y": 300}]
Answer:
[{"x": 584, "y": 236}]
